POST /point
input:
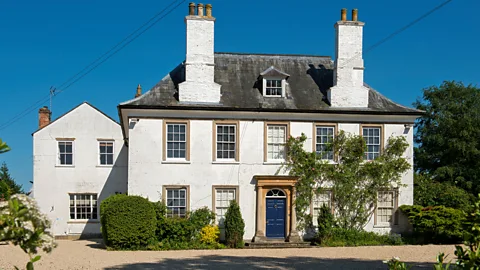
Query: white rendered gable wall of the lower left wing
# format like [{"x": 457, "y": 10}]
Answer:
[{"x": 52, "y": 183}]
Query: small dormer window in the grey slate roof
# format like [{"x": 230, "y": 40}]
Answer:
[{"x": 273, "y": 82}]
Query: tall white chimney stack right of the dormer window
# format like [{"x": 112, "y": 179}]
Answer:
[{"x": 348, "y": 89}]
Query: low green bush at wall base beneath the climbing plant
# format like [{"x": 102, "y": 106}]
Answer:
[{"x": 350, "y": 237}]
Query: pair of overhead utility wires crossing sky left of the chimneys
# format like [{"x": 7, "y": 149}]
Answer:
[{"x": 93, "y": 65}]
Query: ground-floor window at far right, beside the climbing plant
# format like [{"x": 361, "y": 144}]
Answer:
[{"x": 386, "y": 206}]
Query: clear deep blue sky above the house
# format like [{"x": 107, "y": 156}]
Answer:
[{"x": 43, "y": 43}]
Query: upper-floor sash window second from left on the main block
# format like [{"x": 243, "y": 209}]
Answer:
[{"x": 226, "y": 146}]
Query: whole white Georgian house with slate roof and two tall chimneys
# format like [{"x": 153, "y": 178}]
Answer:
[{"x": 214, "y": 130}]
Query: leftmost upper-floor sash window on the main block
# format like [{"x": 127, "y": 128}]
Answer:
[{"x": 176, "y": 136}]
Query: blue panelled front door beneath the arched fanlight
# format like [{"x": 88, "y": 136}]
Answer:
[{"x": 275, "y": 217}]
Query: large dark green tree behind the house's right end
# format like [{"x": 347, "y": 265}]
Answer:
[{"x": 448, "y": 135}]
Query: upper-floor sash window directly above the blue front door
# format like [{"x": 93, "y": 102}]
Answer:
[{"x": 276, "y": 137}]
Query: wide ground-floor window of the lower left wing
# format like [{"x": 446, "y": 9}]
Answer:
[{"x": 83, "y": 206}]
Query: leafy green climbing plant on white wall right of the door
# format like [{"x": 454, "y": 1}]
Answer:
[{"x": 354, "y": 181}]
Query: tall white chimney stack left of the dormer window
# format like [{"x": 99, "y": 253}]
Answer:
[{"x": 199, "y": 86}]
